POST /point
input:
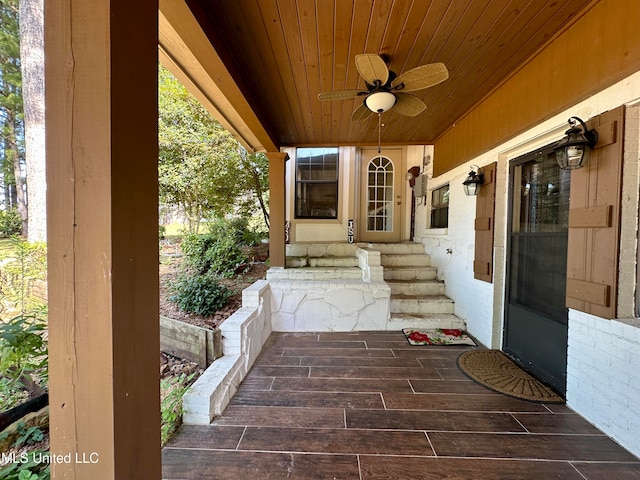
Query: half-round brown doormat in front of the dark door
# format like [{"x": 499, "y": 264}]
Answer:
[{"x": 496, "y": 371}]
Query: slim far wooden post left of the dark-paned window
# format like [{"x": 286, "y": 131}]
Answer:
[{"x": 277, "y": 207}]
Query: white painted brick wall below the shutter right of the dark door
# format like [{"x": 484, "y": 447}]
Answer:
[{"x": 603, "y": 375}]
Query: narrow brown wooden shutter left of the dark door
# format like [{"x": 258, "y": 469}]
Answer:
[{"x": 484, "y": 225}]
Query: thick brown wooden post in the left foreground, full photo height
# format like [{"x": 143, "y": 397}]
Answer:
[{"x": 102, "y": 202}]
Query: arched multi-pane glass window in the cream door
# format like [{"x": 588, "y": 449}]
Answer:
[{"x": 380, "y": 193}]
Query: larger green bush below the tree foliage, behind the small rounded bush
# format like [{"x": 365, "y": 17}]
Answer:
[{"x": 217, "y": 251}]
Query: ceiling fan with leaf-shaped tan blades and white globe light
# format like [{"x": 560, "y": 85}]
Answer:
[{"x": 386, "y": 90}]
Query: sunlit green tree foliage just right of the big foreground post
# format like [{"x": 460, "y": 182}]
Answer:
[{"x": 202, "y": 168}]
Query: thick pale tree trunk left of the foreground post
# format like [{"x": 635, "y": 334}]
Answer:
[{"x": 32, "y": 66}]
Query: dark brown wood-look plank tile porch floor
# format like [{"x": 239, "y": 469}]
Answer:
[{"x": 367, "y": 405}]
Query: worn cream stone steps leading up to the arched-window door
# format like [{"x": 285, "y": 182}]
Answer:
[{"x": 417, "y": 297}]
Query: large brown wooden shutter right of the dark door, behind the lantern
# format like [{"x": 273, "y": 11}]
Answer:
[{"x": 594, "y": 221}]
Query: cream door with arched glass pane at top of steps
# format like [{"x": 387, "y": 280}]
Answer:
[{"x": 381, "y": 190}]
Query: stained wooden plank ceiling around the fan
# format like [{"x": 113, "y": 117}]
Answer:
[{"x": 282, "y": 53}]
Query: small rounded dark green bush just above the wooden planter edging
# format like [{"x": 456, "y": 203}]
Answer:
[{"x": 201, "y": 294}]
